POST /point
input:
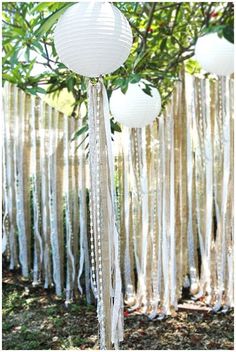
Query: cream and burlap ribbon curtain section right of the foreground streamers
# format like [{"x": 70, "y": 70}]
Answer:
[{"x": 176, "y": 195}]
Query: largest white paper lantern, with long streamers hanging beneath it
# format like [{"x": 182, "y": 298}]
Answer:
[{"x": 93, "y": 38}]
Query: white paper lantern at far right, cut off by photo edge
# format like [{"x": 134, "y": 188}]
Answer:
[{"x": 215, "y": 54}]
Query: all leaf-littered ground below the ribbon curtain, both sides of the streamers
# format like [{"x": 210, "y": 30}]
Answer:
[{"x": 34, "y": 319}]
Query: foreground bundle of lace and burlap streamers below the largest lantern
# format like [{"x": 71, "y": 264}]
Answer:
[{"x": 104, "y": 236}]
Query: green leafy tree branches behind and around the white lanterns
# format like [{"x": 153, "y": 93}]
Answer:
[{"x": 164, "y": 37}]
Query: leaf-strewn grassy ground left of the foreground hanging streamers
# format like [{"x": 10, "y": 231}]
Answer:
[{"x": 34, "y": 319}]
